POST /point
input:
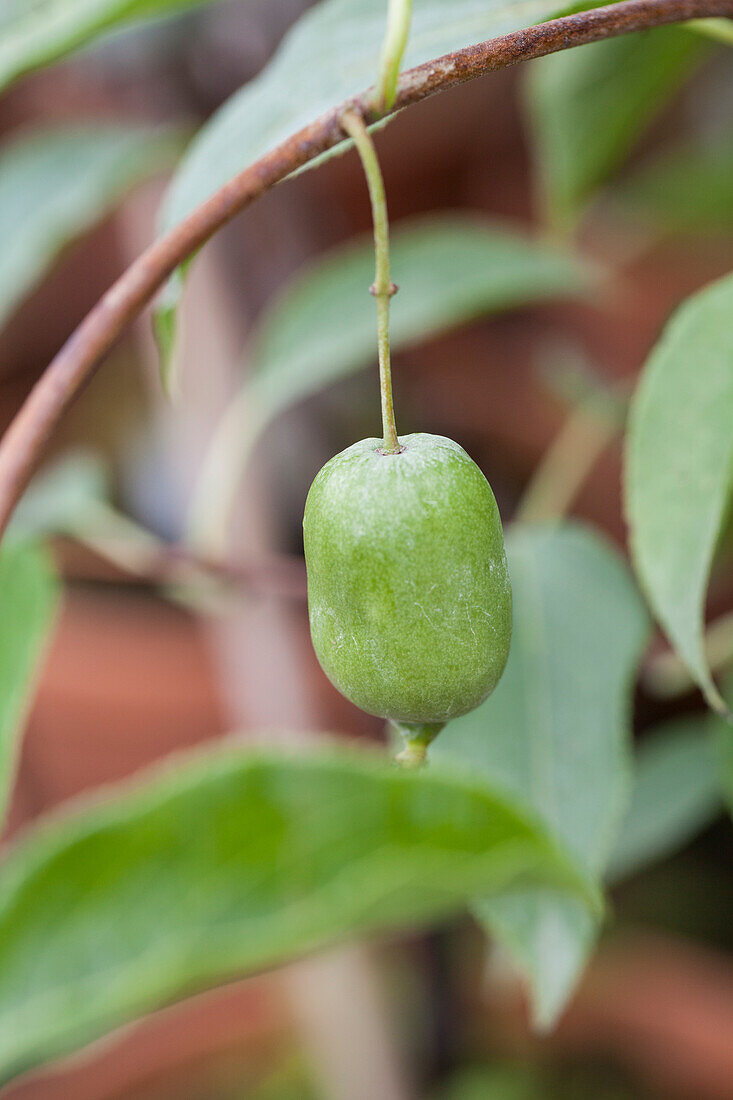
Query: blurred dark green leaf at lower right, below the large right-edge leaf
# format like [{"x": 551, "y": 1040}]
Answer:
[{"x": 676, "y": 794}]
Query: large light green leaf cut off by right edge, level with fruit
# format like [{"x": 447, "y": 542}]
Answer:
[{"x": 680, "y": 469}]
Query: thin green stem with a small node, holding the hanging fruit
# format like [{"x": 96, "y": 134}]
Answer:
[{"x": 384, "y": 289}]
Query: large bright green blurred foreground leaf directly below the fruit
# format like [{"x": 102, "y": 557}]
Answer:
[{"x": 235, "y": 862}]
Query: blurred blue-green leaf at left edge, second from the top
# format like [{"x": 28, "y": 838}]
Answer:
[{"x": 58, "y": 184}]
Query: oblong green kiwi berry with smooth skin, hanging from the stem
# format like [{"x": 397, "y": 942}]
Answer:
[{"x": 409, "y": 591}]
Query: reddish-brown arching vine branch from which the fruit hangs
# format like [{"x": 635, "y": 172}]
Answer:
[{"x": 76, "y": 362}]
